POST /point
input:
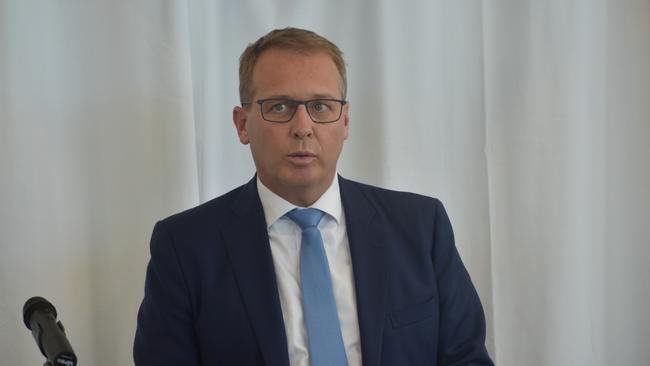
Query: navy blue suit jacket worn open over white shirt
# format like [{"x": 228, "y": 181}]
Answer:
[{"x": 211, "y": 296}]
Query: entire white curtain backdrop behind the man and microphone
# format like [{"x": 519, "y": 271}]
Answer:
[{"x": 529, "y": 119}]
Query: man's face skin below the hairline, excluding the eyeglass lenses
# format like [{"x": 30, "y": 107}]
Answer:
[{"x": 299, "y": 155}]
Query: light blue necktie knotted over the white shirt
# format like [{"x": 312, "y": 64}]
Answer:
[{"x": 323, "y": 329}]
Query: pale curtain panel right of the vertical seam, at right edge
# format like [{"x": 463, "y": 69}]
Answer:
[{"x": 567, "y": 88}]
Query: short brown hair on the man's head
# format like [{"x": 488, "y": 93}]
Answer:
[{"x": 289, "y": 39}]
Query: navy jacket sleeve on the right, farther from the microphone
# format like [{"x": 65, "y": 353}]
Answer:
[{"x": 462, "y": 321}]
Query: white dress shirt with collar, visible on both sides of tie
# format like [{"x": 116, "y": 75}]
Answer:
[{"x": 285, "y": 238}]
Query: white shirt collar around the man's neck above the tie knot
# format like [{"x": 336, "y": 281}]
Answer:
[{"x": 275, "y": 206}]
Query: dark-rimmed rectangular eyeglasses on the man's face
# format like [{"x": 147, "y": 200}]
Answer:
[{"x": 283, "y": 110}]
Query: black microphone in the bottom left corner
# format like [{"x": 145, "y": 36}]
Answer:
[{"x": 40, "y": 317}]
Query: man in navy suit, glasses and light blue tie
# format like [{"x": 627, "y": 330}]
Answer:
[{"x": 300, "y": 266}]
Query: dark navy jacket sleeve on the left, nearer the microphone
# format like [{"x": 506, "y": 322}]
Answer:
[{"x": 165, "y": 332}]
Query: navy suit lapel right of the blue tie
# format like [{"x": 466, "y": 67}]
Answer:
[{"x": 370, "y": 266}]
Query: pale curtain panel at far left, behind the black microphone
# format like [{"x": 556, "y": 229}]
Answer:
[{"x": 98, "y": 143}]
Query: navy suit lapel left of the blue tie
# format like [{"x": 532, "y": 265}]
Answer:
[{"x": 248, "y": 247}]
